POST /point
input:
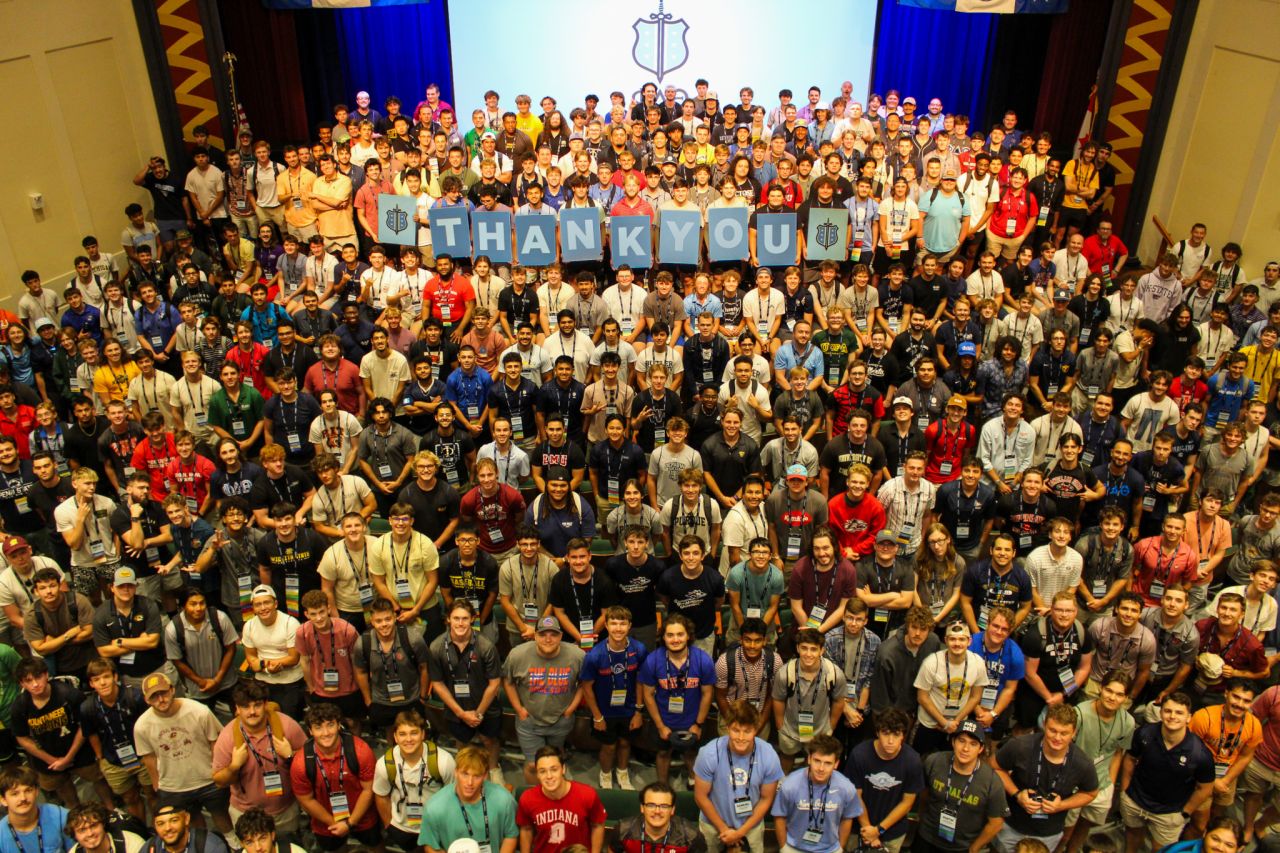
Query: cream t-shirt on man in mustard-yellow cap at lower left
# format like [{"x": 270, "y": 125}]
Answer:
[{"x": 182, "y": 743}]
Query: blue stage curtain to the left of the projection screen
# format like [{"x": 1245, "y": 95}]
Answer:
[{"x": 395, "y": 51}]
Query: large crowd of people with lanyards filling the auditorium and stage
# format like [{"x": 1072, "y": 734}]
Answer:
[{"x": 966, "y": 541}]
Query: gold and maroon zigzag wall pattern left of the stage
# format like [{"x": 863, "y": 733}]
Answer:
[{"x": 184, "y": 38}]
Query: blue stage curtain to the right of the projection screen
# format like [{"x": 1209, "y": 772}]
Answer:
[{"x": 934, "y": 54}]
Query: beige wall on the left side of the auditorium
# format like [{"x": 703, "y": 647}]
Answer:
[{"x": 86, "y": 125}]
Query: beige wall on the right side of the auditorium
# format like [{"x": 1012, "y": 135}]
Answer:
[{"x": 1222, "y": 157}]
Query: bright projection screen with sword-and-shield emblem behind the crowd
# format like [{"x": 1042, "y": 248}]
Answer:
[{"x": 570, "y": 48}]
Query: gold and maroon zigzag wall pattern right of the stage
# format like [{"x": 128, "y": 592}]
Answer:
[{"x": 1146, "y": 38}]
